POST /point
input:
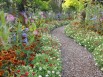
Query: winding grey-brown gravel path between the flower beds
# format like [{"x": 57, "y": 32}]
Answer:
[{"x": 77, "y": 61}]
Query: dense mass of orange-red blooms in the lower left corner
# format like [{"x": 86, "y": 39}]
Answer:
[{"x": 9, "y": 58}]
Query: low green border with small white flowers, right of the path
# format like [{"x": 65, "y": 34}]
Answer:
[{"x": 91, "y": 40}]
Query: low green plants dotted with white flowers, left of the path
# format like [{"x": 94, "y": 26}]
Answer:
[{"x": 47, "y": 63}]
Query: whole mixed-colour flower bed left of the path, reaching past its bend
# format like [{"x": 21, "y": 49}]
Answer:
[{"x": 31, "y": 52}]
